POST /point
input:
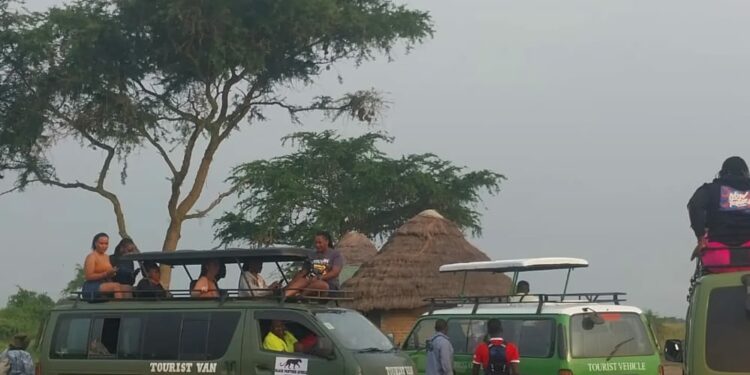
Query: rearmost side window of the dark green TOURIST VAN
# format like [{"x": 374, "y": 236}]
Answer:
[{"x": 71, "y": 338}]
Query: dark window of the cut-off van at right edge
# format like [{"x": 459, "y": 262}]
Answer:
[{"x": 727, "y": 331}]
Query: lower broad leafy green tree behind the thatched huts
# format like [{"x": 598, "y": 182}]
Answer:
[{"x": 346, "y": 184}]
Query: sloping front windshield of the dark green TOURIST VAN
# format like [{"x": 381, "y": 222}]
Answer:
[{"x": 354, "y": 331}]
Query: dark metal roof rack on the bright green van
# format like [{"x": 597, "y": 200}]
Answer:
[{"x": 538, "y": 299}]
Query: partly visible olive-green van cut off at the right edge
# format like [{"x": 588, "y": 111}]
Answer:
[{"x": 718, "y": 326}]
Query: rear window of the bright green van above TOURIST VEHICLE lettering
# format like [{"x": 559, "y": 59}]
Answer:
[{"x": 611, "y": 335}]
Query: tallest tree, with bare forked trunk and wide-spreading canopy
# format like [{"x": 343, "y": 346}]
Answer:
[{"x": 178, "y": 76}]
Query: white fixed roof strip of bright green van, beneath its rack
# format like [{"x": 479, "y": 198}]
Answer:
[{"x": 531, "y": 309}]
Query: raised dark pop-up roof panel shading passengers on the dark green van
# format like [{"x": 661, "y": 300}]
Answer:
[{"x": 188, "y": 257}]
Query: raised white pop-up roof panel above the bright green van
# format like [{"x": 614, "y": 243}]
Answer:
[{"x": 517, "y": 265}]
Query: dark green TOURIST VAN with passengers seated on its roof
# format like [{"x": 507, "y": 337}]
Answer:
[{"x": 183, "y": 335}]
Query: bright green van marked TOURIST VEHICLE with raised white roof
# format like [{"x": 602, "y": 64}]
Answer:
[{"x": 557, "y": 334}]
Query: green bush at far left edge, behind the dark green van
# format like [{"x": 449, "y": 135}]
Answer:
[{"x": 24, "y": 313}]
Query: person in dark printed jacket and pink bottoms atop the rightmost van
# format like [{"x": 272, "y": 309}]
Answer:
[{"x": 720, "y": 216}]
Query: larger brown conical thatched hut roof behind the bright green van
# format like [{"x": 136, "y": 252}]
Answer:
[{"x": 405, "y": 271}]
